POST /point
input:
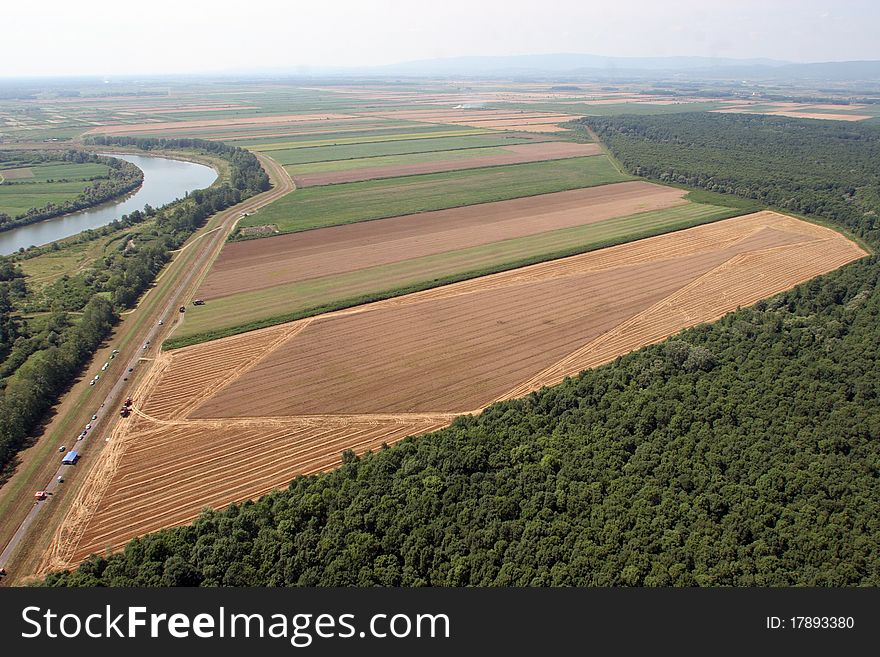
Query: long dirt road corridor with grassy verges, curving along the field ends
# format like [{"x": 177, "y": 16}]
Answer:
[{"x": 136, "y": 337}]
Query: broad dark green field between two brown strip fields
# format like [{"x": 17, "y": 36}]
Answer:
[{"x": 331, "y": 205}]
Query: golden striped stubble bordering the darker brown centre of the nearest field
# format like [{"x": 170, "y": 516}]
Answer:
[{"x": 269, "y": 448}]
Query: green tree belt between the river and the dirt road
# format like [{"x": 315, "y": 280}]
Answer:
[{"x": 40, "y": 356}]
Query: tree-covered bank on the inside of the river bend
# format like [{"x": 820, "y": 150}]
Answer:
[{"x": 122, "y": 178}]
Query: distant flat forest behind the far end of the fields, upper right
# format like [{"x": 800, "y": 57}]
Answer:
[{"x": 824, "y": 168}]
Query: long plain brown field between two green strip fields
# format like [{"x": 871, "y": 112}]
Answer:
[{"x": 260, "y": 264}]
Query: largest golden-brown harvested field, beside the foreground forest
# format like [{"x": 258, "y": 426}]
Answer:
[{"x": 294, "y": 396}]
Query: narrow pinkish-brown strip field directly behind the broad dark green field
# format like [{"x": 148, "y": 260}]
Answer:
[{"x": 548, "y": 150}]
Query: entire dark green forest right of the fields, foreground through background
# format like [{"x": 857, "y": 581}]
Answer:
[{"x": 744, "y": 452}]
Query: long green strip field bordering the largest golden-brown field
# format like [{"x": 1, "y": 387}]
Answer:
[{"x": 288, "y": 301}]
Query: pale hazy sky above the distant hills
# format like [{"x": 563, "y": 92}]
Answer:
[{"x": 105, "y": 37}]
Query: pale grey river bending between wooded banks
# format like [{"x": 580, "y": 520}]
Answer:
[{"x": 164, "y": 181}]
